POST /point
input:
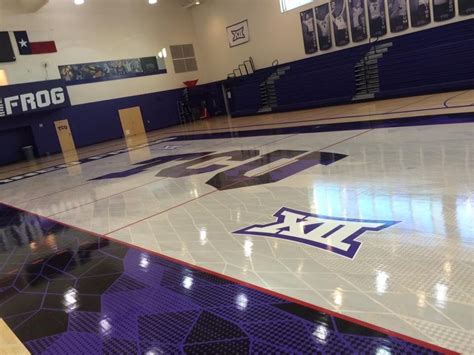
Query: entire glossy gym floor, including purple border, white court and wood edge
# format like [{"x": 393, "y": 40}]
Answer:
[{"x": 340, "y": 229}]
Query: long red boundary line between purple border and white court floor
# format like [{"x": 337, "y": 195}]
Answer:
[{"x": 255, "y": 287}]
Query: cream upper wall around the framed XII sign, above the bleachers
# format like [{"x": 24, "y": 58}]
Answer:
[{"x": 273, "y": 35}]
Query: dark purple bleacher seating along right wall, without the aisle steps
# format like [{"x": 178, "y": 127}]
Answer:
[{"x": 432, "y": 60}]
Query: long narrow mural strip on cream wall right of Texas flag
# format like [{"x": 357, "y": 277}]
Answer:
[{"x": 111, "y": 70}]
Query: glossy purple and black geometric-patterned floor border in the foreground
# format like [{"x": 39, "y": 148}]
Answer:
[{"x": 66, "y": 291}]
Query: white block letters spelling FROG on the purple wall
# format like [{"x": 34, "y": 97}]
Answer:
[{"x": 31, "y": 101}]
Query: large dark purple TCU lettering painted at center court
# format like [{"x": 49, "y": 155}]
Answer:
[{"x": 234, "y": 177}]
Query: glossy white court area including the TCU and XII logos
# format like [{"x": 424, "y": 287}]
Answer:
[{"x": 414, "y": 275}]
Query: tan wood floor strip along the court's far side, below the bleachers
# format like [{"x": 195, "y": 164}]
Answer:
[{"x": 416, "y": 106}]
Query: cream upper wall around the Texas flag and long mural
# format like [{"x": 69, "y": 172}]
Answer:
[{"x": 99, "y": 31}]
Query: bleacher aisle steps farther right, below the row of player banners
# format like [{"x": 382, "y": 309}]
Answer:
[{"x": 366, "y": 72}]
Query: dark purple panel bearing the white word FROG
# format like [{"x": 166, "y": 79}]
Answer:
[{"x": 19, "y": 99}]
